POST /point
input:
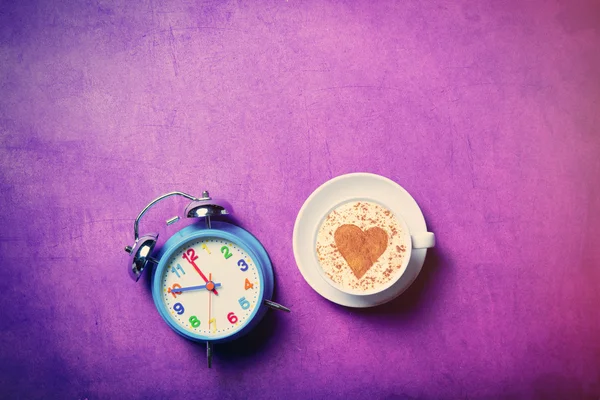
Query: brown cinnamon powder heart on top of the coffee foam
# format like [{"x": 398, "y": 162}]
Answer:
[{"x": 360, "y": 248}]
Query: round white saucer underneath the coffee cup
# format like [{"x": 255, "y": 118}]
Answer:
[{"x": 363, "y": 186}]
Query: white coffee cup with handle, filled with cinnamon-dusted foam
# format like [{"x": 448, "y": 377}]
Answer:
[{"x": 364, "y": 248}]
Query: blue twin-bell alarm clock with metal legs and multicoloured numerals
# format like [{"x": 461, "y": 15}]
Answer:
[{"x": 212, "y": 281}]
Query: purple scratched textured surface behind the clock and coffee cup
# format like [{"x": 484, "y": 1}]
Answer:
[{"x": 486, "y": 111}]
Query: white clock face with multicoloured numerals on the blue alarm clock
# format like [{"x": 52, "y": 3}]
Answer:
[{"x": 210, "y": 287}]
